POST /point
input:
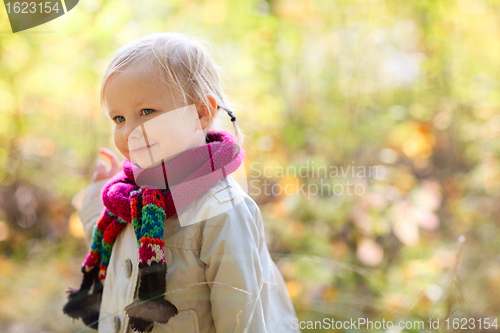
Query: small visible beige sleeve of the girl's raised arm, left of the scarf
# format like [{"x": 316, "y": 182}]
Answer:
[{"x": 89, "y": 204}]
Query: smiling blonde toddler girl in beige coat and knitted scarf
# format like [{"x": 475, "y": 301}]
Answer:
[{"x": 176, "y": 245}]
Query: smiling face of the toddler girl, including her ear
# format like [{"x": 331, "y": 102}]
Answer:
[{"x": 149, "y": 125}]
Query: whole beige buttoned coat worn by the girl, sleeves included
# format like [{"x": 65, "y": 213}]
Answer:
[{"x": 219, "y": 271}]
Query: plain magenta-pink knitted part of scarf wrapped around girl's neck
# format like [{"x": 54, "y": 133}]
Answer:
[{"x": 193, "y": 172}]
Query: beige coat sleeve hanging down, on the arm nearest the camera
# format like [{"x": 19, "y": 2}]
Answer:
[{"x": 230, "y": 247}]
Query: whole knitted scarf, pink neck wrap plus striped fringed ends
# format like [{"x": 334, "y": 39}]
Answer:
[{"x": 143, "y": 198}]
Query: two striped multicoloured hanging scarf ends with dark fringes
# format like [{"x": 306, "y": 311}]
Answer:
[{"x": 147, "y": 216}]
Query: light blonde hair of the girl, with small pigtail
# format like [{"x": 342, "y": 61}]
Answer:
[{"x": 184, "y": 63}]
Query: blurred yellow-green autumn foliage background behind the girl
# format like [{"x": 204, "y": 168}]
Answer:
[{"x": 408, "y": 86}]
